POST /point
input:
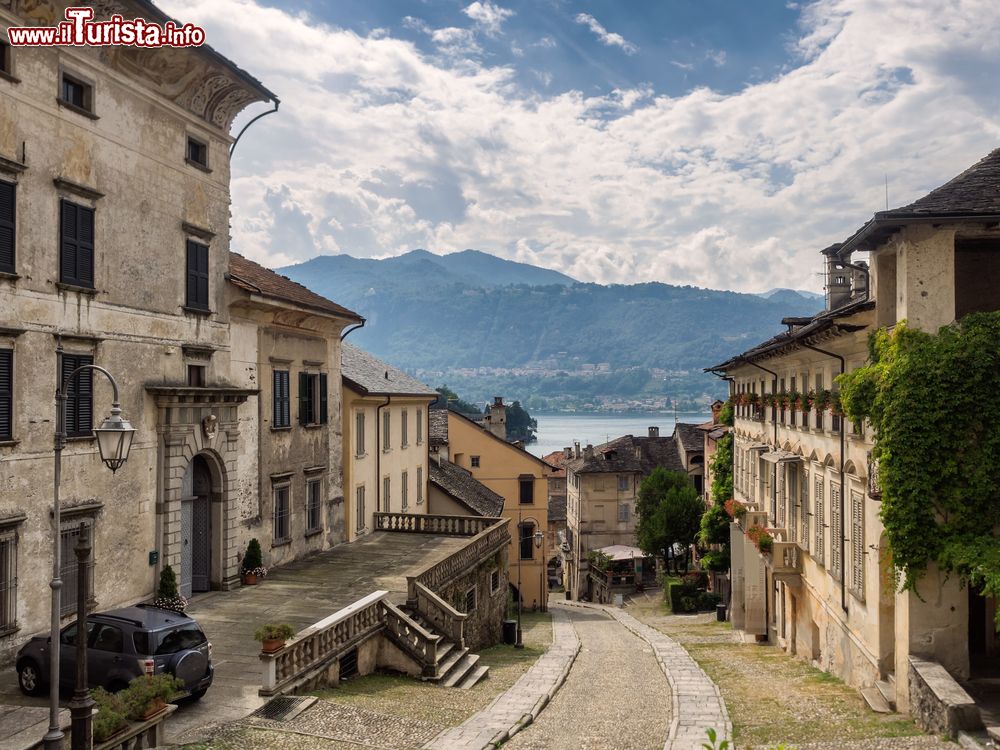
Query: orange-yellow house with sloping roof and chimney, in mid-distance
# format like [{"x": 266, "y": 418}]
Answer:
[{"x": 516, "y": 475}]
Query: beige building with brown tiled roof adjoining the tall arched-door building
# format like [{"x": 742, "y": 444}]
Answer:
[{"x": 286, "y": 346}]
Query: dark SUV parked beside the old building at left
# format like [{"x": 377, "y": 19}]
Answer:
[{"x": 121, "y": 645}]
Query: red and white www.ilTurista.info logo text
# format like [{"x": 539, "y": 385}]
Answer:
[{"x": 78, "y": 30}]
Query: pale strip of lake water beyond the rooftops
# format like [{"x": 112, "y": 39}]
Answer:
[{"x": 556, "y": 431}]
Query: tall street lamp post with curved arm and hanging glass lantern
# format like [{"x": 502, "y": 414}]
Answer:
[{"x": 114, "y": 439}]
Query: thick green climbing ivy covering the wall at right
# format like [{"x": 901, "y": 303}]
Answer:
[{"x": 934, "y": 402}]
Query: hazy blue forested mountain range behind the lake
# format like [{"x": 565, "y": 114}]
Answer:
[{"x": 442, "y": 316}]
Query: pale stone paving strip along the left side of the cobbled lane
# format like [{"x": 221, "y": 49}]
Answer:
[{"x": 520, "y": 705}]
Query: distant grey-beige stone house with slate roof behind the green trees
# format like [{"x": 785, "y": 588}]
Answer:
[{"x": 603, "y": 488}]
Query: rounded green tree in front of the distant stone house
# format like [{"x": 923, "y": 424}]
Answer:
[{"x": 669, "y": 510}]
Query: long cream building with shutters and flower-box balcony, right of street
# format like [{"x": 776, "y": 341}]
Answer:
[{"x": 826, "y": 592}]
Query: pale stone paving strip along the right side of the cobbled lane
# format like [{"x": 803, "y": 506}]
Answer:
[{"x": 696, "y": 701}]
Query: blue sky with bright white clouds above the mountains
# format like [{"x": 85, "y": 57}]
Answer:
[{"x": 719, "y": 143}]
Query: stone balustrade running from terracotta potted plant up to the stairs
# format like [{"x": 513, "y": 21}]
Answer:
[{"x": 321, "y": 643}]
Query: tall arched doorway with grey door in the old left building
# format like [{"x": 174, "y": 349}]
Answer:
[{"x": 196, "y": 527}]
